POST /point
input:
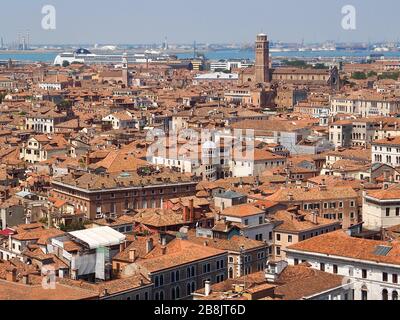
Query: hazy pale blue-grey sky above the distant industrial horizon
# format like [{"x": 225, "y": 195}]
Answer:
[{"x": 208, "y": 21}]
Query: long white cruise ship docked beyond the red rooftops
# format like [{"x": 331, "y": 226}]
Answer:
[{"x": 86, "y": 57}]
